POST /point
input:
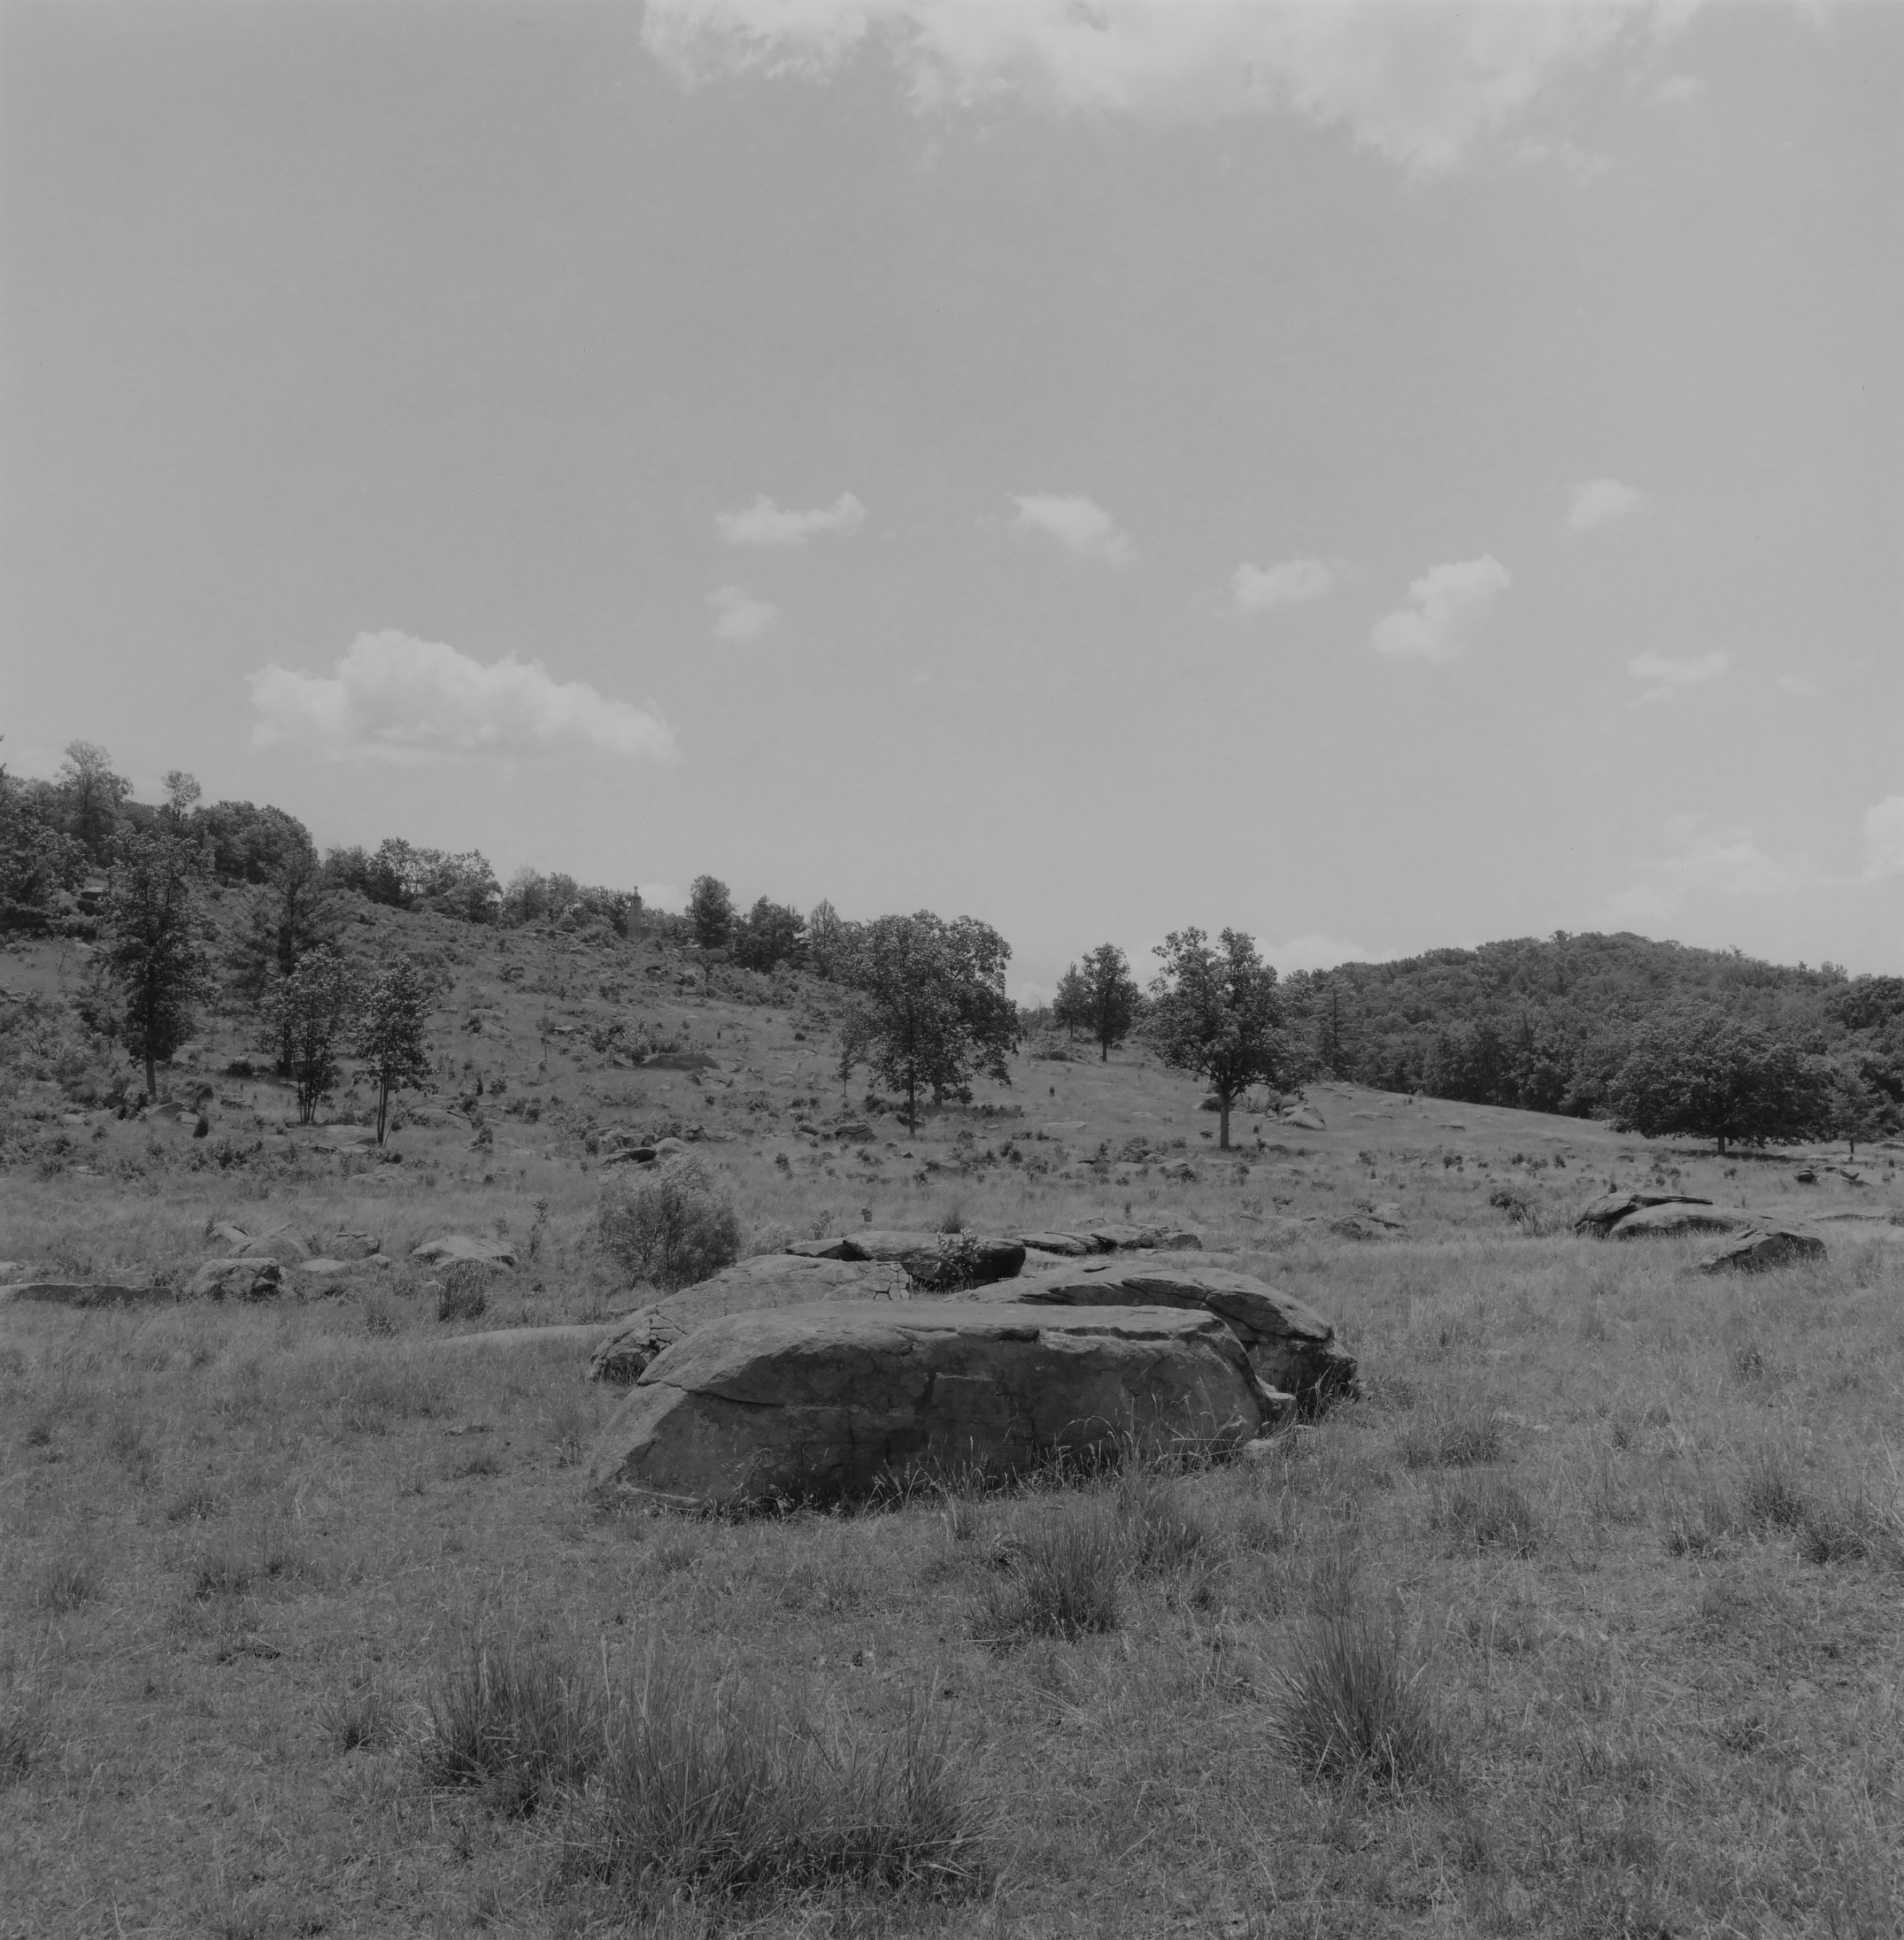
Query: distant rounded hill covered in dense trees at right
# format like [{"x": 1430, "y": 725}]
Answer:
[{"x": 1546, "y": 1025}]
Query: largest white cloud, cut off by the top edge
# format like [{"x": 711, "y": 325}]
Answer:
[{"x": 1422, "y": 82}]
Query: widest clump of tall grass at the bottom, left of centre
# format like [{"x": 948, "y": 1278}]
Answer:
[{"x": 733, "y": 1786}]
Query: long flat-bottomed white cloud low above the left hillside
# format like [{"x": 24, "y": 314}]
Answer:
[{"x": 399, "y": 697}]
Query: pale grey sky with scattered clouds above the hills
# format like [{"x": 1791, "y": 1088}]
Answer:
[{"x": 1381, "y": 478}]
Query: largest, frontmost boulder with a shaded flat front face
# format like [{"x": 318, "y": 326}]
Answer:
[{"x": 824, "y": 1402}]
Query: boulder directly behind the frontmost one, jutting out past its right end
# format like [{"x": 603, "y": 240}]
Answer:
[{"x": 1290, "y": 1345}]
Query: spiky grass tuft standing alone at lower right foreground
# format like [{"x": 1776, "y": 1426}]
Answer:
[{"x": 1352, "y": 1706}]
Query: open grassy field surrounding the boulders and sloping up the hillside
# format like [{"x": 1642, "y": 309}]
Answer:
[{"x": 1583, "y": 1621}]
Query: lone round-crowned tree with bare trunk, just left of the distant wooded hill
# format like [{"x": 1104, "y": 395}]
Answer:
[{"x": 1216, "y": 1012}]
